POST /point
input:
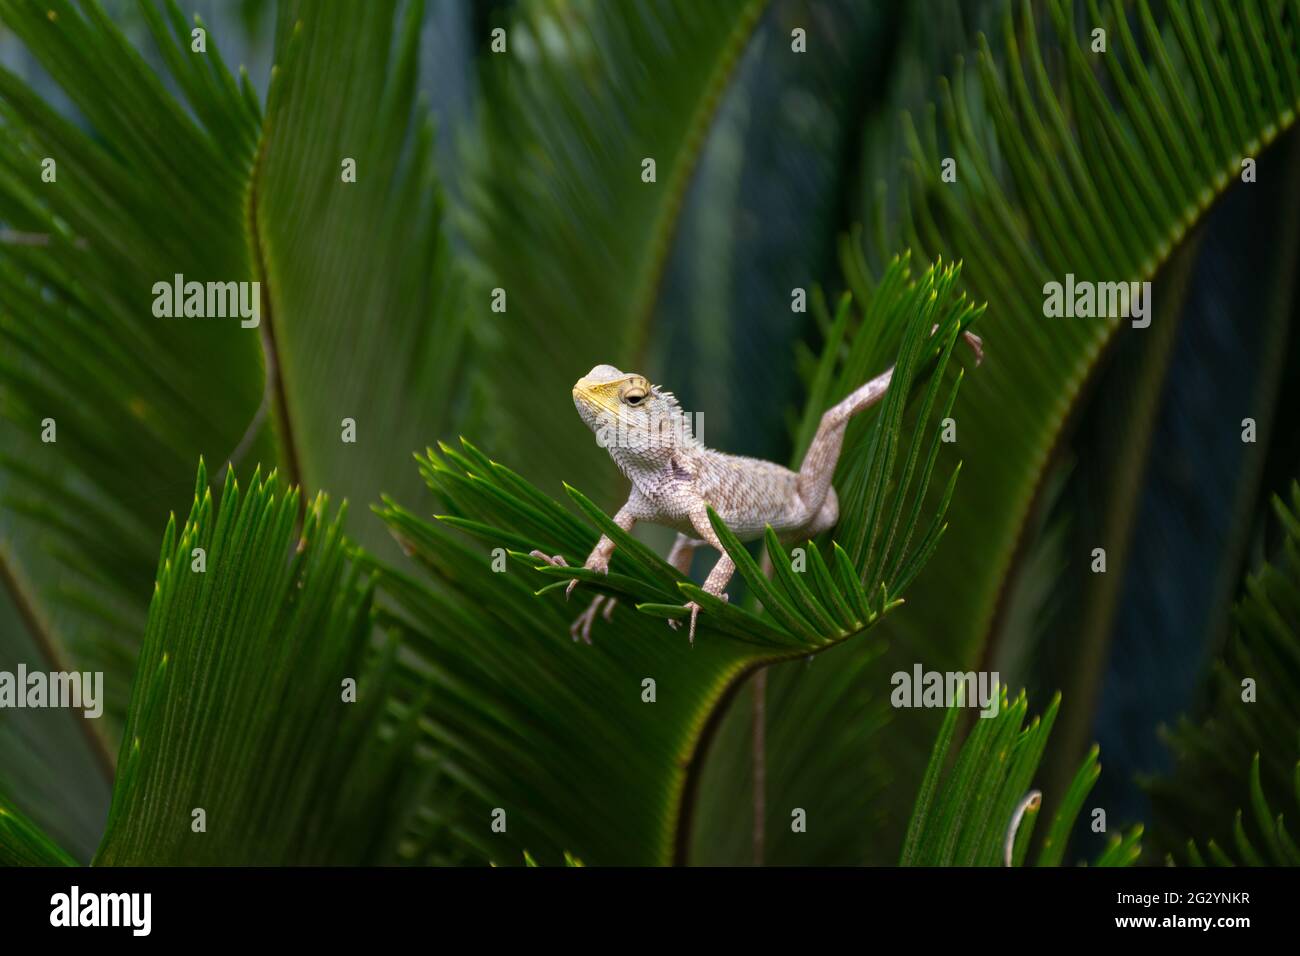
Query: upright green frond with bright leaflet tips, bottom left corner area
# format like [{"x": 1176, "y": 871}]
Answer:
[{"x": 241, "y": 707}]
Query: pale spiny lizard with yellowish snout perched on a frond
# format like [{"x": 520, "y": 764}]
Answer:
[{"x": 675, "y": 479}]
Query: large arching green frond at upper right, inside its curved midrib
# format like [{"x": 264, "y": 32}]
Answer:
[{"x": 1085, "y": 202}]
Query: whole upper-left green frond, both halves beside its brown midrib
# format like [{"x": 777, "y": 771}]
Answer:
[{"x": 361, "y": 304}]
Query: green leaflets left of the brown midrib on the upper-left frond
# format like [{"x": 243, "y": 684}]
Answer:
[{"x": 154, "y": 193}]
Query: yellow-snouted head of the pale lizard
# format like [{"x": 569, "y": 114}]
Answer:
[{"x": 639, "y": 423}]
